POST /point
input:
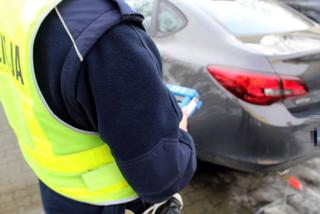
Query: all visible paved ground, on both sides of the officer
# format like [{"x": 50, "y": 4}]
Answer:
[{"x": 214, "y": 189}]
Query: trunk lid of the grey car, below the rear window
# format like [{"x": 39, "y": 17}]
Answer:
[{"x": 295, "y": 54}]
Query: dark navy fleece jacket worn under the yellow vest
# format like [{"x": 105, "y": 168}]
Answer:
[{"x": 116, "y": 91}]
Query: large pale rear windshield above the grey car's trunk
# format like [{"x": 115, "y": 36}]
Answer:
[{"x": 254, "y": 17}]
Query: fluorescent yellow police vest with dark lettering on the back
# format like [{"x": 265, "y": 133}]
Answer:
[{"x": 74, "y": 163}]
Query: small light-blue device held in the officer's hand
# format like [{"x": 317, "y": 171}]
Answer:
[{"x": 187, "y": 98}]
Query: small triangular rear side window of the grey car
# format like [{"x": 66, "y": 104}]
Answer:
[{"x": 170, "y": 19}]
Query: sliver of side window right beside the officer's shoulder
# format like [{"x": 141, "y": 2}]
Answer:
[{"x": 145, "y": 8}]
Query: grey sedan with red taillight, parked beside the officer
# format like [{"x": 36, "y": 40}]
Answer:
[{"x": 256, "y": 65}]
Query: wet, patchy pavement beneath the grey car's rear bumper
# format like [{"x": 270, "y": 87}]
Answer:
[{"x": 216, "y": 189}]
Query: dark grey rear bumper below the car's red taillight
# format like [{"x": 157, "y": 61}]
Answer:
[{"x": 251, "y": 138}]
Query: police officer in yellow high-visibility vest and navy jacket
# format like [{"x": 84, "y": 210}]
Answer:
[{"x": 80, "y": 82}]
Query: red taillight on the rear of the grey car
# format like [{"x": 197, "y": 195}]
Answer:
[{"x": 257, "y": 88}]
